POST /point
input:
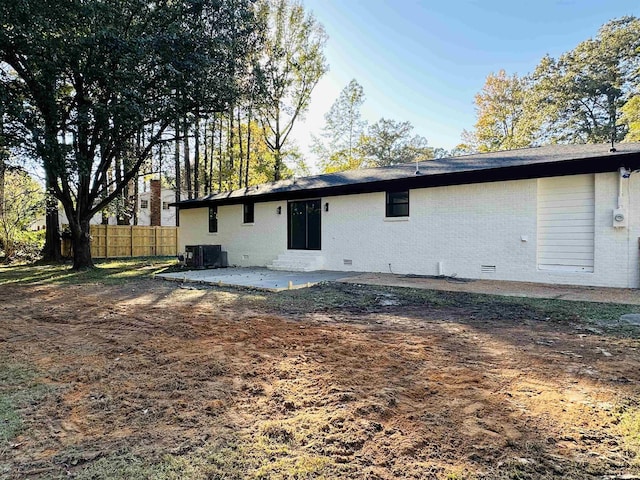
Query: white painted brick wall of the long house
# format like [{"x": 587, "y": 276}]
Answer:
[{"x": 464, "y": 226}]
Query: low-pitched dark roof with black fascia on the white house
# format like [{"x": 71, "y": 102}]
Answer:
[{"x": 551, "y": 160}]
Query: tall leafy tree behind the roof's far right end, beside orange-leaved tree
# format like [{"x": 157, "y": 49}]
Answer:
[{"x": 578, "y": 97}]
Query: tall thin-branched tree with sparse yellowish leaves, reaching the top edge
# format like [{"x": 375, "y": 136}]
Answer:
[{"x": 290, "y": 67}]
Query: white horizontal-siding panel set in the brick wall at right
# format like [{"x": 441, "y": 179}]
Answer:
[{"x": 566, "y": 207}]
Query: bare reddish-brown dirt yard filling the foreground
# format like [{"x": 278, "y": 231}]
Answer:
[{"x": 150, "y": 379}]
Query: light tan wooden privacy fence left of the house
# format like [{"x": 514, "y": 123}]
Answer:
[{"x": 113, "y": 241}]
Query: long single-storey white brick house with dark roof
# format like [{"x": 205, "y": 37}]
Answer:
[{"x": 566, "y": 214}]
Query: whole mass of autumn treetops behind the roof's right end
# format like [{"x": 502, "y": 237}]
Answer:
[{"x": 586, "y": 95}]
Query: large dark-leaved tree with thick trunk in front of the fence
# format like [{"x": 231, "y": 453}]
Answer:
[{"x": 106, "y": 79}]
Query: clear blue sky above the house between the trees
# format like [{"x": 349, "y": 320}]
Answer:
[{"x": 424, "y": 61}]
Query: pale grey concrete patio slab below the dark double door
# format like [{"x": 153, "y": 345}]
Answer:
[{"x": 261, "y": 278}]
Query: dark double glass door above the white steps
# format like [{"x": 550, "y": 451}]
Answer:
[{"x": 304, "y": 225}]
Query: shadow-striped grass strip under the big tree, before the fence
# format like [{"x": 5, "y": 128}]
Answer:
[{"x": 108, "y": 272}]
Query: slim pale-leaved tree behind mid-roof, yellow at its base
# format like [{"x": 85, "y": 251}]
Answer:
[{"x": 338, "y": 147}]
